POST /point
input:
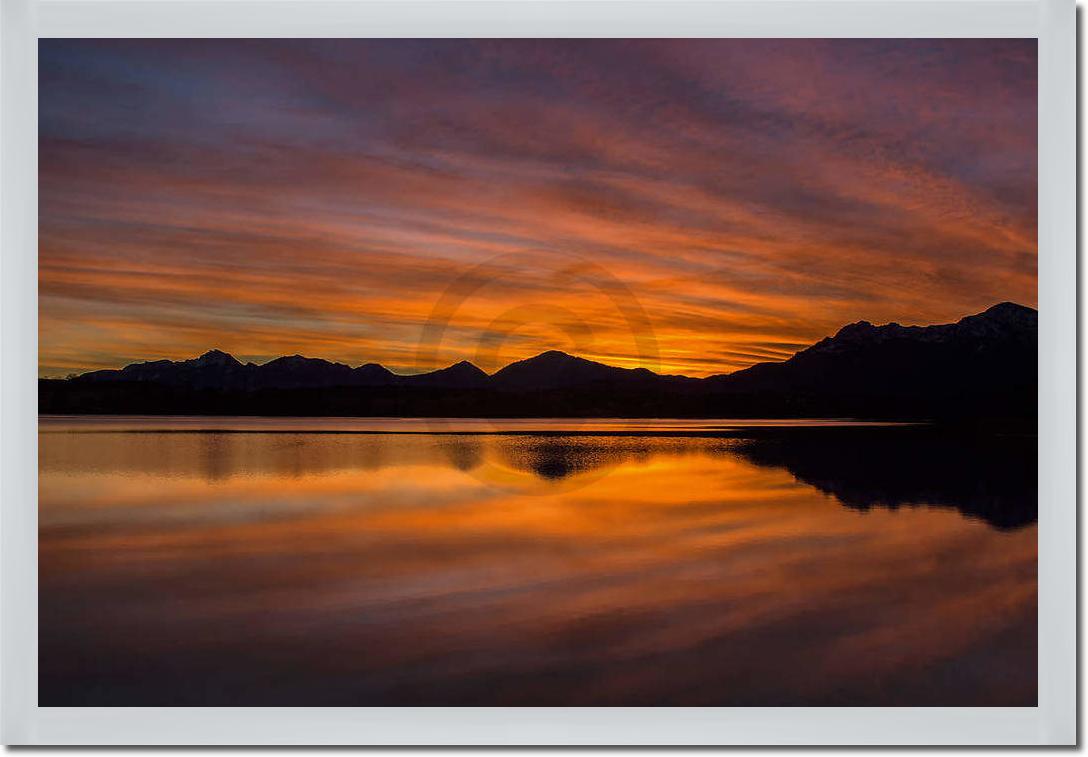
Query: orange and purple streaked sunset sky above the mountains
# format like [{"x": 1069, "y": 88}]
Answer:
[{"x": 689, "y": 206}]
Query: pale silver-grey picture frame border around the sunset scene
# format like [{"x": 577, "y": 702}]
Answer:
[{"x": 1054, "y": 722}]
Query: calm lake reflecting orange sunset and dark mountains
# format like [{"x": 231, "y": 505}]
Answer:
[{"x": 333, "y": 562}]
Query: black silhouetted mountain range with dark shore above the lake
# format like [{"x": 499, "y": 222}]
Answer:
[{"x": 982, "y": 366}]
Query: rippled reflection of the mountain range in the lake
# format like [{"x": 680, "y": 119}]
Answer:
[{"x": 993, "y": 478}]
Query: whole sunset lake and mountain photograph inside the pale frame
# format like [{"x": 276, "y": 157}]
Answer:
[{"x": 538, "y": 373}]
